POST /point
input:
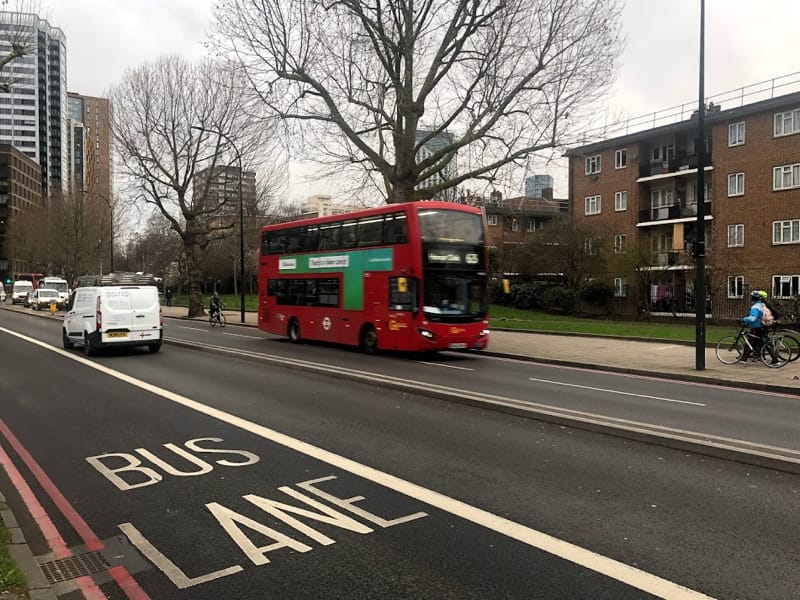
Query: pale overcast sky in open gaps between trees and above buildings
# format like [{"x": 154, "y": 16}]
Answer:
[{"x": 747, "y": 41}]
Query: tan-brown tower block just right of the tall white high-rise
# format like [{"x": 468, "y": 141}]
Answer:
[{"x": 90, "y": 167}]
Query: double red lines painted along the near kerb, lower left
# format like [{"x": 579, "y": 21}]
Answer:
[{"x": 88, "y": 587}]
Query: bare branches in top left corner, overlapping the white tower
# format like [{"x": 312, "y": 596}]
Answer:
[{"x": 20, "y": 34}]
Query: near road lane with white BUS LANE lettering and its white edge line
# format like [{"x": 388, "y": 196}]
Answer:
[{"x": 221, "y": 507}]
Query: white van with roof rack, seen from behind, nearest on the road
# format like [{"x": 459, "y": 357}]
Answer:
[{"x": 113, "y": 315}]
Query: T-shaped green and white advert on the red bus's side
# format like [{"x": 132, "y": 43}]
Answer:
[{"x": 352, "y": 264}]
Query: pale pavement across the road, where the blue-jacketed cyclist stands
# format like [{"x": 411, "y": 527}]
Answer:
[{"x": 646, "y": 357}]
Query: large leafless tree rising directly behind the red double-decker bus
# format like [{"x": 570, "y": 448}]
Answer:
[{"x": 400, "y": 90}]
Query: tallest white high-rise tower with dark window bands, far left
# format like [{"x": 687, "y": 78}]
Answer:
[{"x": 33, "y": 104}]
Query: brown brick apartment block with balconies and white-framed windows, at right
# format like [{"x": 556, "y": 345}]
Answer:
[{"x": 639, "y": 192}]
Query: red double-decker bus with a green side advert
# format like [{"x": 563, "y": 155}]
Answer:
[{"x": 409, "y": 277}]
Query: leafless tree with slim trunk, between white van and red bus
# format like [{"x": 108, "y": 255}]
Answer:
[{"x": 171, "y": 120}]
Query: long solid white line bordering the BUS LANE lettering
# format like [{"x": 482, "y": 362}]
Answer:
[{"x": 632, "y": 576}]
